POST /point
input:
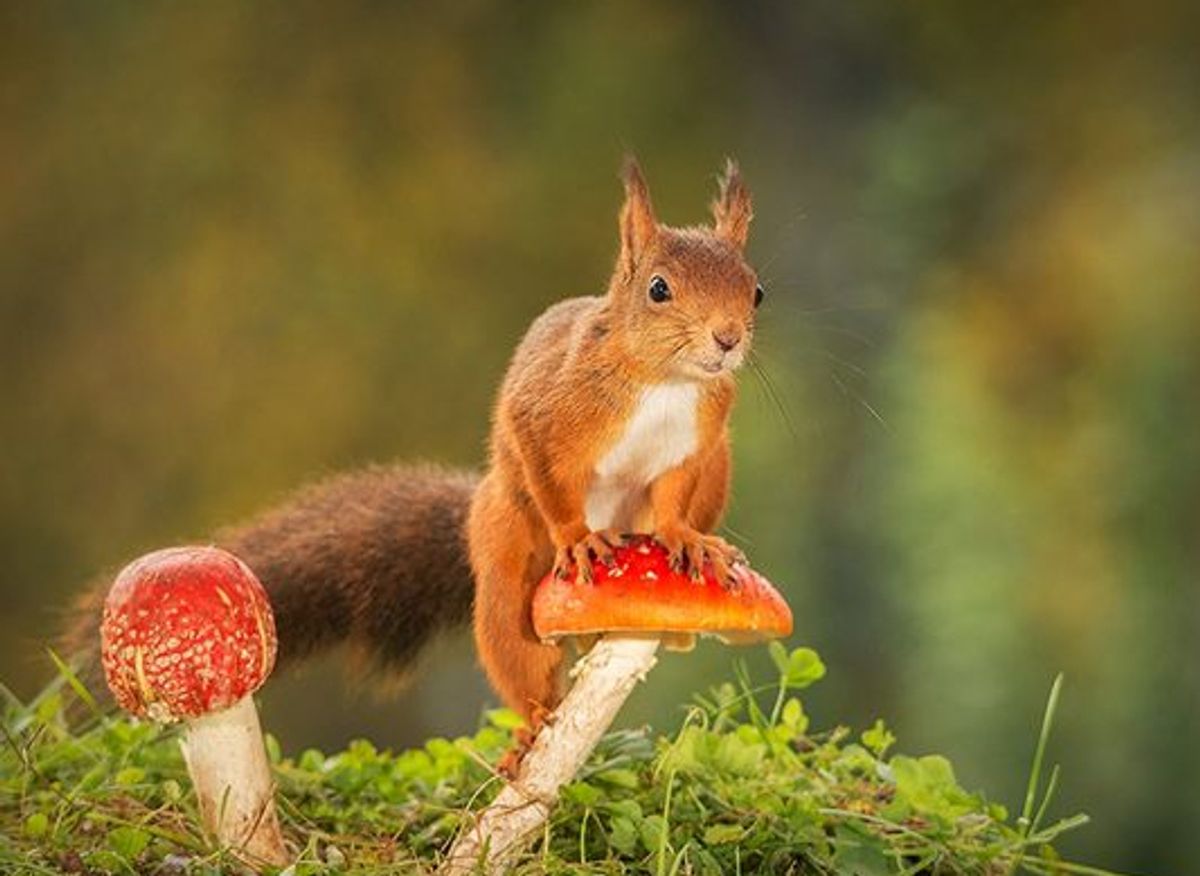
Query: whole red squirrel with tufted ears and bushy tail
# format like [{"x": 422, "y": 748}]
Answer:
[{"x": 613, "y": 418}]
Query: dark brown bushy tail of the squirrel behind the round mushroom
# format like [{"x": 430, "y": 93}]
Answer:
[{"x": 376, "y": 560}]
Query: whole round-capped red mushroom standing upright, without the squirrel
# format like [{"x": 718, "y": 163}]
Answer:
[{"x": 188, "y": 635}]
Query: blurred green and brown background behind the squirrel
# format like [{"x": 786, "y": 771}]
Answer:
[{"x": 247, "y": 245}]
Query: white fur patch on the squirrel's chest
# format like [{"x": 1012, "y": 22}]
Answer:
[{"x": 661, "y": 434}]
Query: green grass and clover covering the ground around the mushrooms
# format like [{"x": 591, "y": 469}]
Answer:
[{"x": 743, "y": 787}]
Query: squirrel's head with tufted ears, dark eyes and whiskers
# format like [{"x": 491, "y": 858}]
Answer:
[{"x": 685, "y": 299}]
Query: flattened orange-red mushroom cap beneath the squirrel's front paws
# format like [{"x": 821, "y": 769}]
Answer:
[{"x": 641, "y": 593}]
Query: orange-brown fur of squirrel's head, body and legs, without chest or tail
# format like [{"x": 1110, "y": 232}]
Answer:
[{"x": 571, "y": 391}]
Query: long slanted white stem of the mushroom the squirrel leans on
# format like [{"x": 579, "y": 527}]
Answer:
[{"x": 604, "y": 679}]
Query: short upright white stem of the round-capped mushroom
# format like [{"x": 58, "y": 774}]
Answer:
[{"x": 227, "y": 763}]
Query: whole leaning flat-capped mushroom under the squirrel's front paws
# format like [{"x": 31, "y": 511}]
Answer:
[{"x": 637, "y": 604}]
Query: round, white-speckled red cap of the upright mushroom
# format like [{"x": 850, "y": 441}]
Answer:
[{"x": 187, "y": 632}]
